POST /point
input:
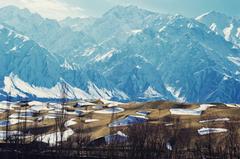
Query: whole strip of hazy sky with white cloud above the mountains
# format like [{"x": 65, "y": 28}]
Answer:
[{"x": 59, "y": 9}]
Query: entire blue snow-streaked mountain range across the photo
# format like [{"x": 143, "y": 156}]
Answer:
[{"x": 126, "y": 54}]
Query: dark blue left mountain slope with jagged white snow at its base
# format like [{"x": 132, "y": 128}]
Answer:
[{"x": 30, "y": 71}]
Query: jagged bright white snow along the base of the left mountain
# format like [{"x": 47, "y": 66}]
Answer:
[{"x": 16, "y": 87}]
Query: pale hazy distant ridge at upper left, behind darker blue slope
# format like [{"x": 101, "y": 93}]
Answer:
[{"x": 48, "y": 33}]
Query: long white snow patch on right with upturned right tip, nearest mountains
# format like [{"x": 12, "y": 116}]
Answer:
[{"x": 195, "y": 112}]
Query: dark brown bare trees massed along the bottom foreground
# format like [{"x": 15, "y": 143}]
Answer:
[{"x": 152, "y": 140}]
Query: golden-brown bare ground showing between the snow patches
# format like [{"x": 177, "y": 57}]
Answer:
[{"x": 159, "y": 114}]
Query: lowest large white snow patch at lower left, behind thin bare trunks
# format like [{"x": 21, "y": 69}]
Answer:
[{"x": 55, "y": 137}]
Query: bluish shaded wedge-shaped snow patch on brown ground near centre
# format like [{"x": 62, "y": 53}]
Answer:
[{"x": 129, "y": 120}]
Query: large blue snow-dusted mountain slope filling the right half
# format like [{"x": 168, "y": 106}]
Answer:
[{"x": 193, "y": 62}]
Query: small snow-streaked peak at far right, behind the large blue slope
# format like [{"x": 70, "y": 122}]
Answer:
[{"x": 224, "y": 25}]
